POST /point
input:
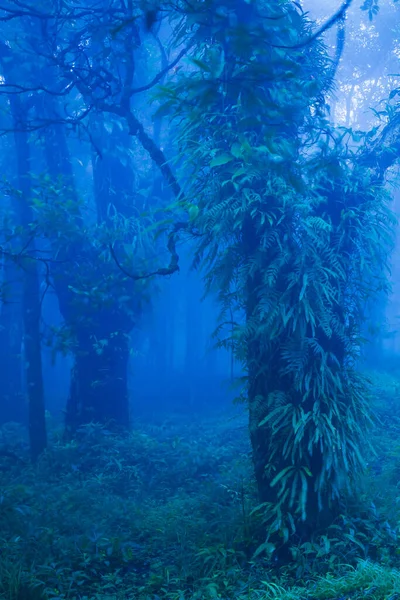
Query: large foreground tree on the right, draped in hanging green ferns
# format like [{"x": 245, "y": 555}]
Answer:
[{"x": 294, "y": 236}]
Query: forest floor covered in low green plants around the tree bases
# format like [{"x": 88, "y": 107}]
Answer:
[{"x": 168, "y": 513}]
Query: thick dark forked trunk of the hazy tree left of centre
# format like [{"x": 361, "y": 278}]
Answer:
[{"x": 99, "y": 324}]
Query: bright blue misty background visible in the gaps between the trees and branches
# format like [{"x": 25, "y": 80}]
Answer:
[{"x": 174, "y": 362}]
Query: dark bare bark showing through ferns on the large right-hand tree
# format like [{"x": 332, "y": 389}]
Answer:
[{"x": 265, "y": 380}]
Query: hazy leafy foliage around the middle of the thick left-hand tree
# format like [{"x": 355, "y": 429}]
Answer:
[{"x": 80, "y": 266}]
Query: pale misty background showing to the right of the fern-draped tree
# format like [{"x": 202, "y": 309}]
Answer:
[{"x": 366, "y": 76}]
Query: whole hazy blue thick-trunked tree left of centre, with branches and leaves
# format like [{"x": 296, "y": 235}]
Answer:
[{"x": 83, "y": 80}]
